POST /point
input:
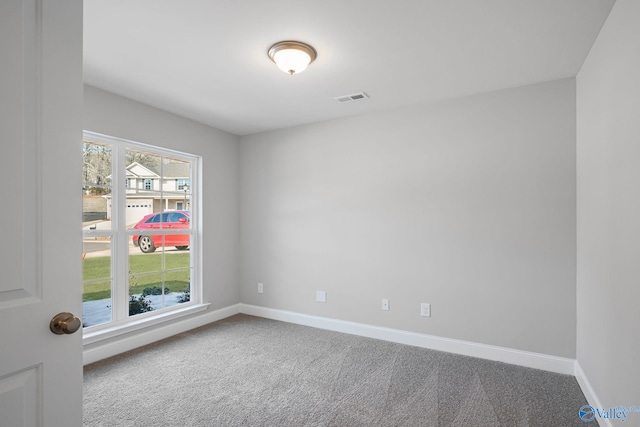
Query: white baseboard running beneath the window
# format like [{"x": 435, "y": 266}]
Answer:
[{"x": 110, "y": 347}]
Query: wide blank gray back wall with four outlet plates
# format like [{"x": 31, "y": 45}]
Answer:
[{"x": 468, "y": 205}]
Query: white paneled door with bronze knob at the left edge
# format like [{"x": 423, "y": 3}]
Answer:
[{"x": 40, "y": 179}]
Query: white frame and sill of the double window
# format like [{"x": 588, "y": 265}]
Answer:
[{"x": 120, "y": 236}]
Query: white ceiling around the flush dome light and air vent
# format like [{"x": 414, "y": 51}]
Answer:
[{"x": 207, "y": 59}]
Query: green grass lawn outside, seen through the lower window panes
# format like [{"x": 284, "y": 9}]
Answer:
[{"x": 145, "y": 271}]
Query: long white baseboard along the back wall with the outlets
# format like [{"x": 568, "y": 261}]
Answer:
[{"x": 528, "y": 359}]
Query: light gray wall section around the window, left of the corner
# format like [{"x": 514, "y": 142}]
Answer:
[{"x": 113, "y": 115}]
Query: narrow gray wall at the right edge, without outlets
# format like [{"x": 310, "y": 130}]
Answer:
[{"x": 608, "y": 210}]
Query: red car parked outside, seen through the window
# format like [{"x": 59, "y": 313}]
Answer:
[{"x": 148, "y": 242}]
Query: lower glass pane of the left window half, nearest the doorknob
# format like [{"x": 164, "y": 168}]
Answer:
[{"x": 96, "y": 281}]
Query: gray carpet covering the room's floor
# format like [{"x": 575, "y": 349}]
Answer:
[{"x": 248, "y": 371}]
